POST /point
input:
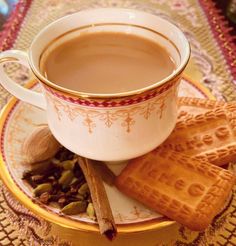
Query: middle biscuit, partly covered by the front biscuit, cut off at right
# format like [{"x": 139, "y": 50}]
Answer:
[{"x": 210, "y": 136}]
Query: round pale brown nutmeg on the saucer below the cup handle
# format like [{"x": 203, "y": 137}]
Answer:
[{"x": 40, "y": 145}]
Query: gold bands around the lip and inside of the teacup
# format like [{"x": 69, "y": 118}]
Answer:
[{"x": 179, "y": 70}]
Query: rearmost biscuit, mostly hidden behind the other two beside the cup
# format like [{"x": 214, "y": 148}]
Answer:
[{"x": 194, "y": 106}]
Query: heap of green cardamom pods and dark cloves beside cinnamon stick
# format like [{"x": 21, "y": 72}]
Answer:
[{"x": 59, "y": 182}]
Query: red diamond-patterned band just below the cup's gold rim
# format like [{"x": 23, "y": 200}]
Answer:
[{"x": 116, "y": 102}]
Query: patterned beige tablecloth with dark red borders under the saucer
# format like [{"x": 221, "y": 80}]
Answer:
[{"x": 213, "y": 63}]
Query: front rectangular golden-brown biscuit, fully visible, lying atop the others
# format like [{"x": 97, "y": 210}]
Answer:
[{"x": 185, "y": 189}]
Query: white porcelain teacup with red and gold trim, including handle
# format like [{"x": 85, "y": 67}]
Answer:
[{"x": 107, "y": 127}]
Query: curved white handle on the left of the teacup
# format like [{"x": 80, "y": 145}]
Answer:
[{"x": 26, "y": 95}]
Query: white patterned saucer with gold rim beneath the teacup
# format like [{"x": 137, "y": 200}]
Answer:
[{"x": 18, "y": 119}]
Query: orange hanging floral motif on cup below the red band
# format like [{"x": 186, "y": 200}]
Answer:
[{"x": 109, "y": 116}]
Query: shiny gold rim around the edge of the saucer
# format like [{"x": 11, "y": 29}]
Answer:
[{"x": 154, "y": 224}]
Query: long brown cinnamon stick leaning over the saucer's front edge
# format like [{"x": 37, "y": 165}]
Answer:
[{"x": 99, "y": 197}]
